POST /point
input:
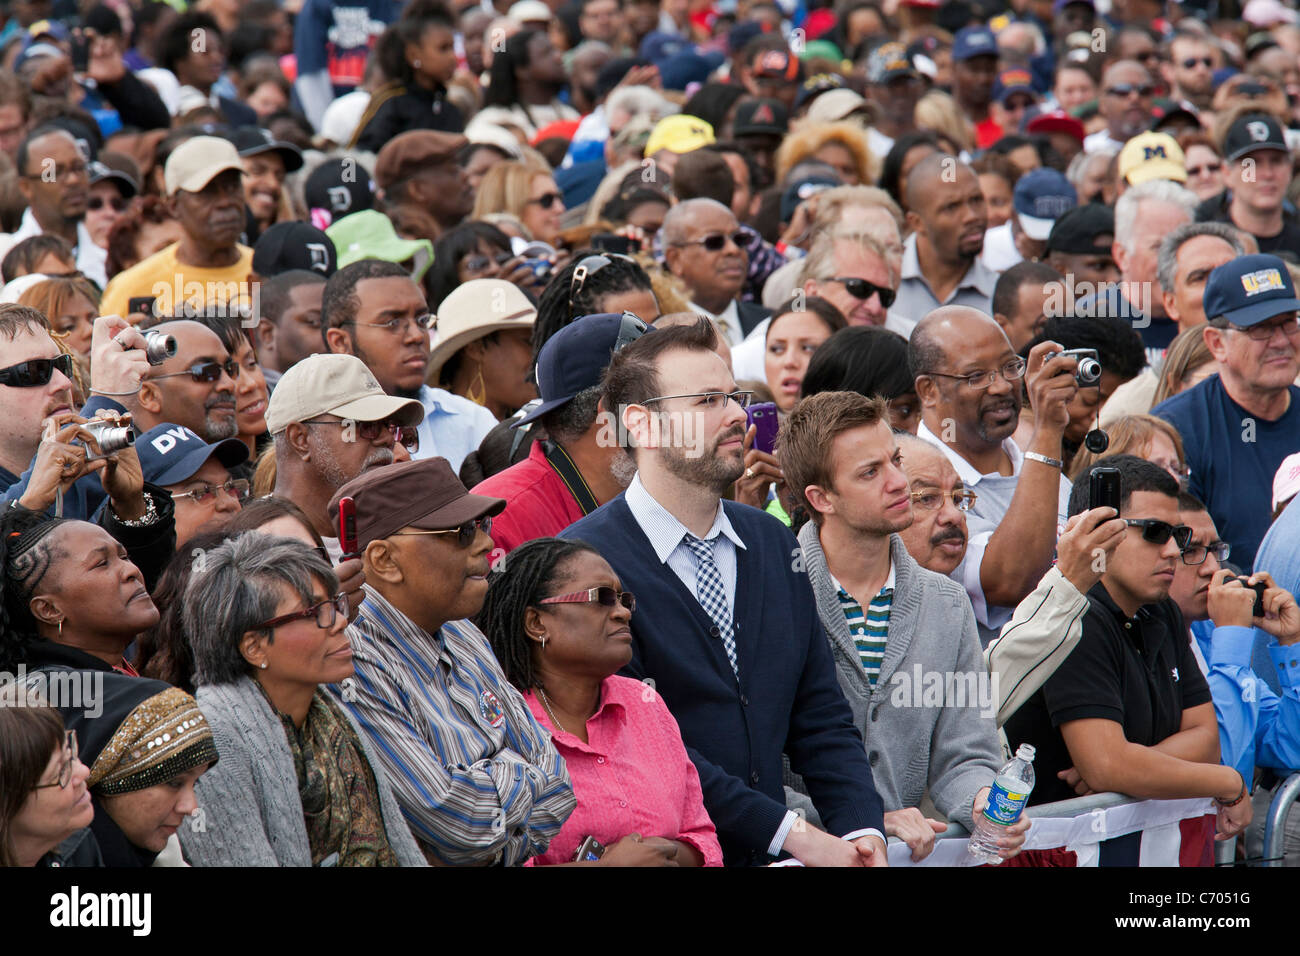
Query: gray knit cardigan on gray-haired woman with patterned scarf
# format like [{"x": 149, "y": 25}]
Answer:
[{"x": 252, "y": 814}]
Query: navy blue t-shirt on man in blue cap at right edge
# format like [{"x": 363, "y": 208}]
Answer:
[{"x": 1233, "y": 457}]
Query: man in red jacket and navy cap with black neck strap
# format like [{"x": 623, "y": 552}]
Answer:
[{"x": 580, "y": 465}]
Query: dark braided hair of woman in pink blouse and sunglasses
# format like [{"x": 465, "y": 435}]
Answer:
[{"x": 519, "y": 582}]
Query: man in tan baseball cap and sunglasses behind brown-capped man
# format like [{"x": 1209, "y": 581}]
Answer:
[{"x": 332, "y": 422}]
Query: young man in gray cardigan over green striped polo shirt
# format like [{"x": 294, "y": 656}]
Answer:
[{"x": 887, "y": 618}]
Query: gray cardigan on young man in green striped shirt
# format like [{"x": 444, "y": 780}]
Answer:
[{"x": 913, "y": 745}]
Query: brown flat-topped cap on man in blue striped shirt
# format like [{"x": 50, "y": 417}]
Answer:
[{"x": 424, "y": 495}]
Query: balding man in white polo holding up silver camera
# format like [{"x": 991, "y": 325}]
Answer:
[{"x": 969, "y": 383}]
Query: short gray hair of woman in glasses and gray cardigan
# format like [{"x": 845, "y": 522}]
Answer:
[{"x": 236, "y": 589}]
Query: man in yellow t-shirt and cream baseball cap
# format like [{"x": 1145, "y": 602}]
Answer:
[{"x": 207, "y": 266}]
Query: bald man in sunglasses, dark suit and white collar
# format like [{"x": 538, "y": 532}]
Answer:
[{"x": 705, "y": 248}]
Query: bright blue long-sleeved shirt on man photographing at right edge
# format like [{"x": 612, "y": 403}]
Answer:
[{"x": 1258, "y": 728}]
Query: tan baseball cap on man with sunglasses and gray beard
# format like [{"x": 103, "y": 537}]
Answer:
[{"x": 336, "y": 384}]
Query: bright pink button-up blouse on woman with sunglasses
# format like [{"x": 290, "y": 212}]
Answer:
[{"x": 634, "y": 776}]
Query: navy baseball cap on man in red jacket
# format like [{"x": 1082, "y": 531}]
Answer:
[{"x": 575, "y": 358}]
